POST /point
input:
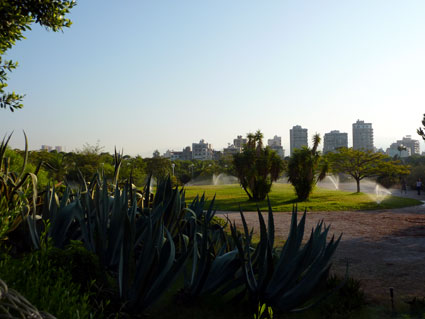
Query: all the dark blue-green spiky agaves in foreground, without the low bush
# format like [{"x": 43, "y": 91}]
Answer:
[{"x": 144, "y": 246}]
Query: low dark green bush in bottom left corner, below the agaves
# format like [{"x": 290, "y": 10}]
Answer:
[{"x": 54, "y": 280}]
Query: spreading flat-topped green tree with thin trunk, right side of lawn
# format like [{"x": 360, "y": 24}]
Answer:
[{"x": 361, "y": 164}]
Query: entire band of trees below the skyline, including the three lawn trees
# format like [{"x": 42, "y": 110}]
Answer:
[{"x": 257, "y": 167}]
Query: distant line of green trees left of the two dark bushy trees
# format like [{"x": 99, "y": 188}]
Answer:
[{"x": 83, "y": 164}]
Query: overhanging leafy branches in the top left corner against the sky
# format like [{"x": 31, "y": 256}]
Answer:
[{"x": 16, "y": 17}]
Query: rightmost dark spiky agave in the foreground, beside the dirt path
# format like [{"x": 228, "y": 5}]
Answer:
[{"x": 288, "y": 281}]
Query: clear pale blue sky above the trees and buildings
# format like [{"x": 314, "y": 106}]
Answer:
[{"x": 146, "y": 75}]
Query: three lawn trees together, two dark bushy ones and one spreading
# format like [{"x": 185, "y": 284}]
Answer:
[{"x": 257, "y": 167}]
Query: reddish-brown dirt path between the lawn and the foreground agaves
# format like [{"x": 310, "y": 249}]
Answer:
[{"x": 384, "y": 248}]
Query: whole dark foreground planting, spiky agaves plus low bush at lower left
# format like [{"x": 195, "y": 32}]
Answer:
[{"x": 135, "y": 245}]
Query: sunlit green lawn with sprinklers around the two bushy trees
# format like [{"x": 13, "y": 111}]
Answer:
[{"x": 282, "y": 198}]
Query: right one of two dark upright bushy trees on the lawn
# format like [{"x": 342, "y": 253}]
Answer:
[{"x": 306, "y": 168}]
